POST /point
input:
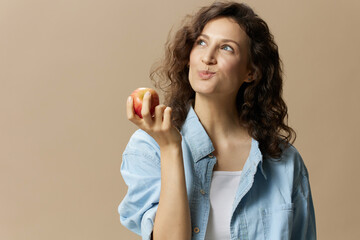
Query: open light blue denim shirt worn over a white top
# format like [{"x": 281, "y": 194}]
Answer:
[{"x": 273, "y": 200}]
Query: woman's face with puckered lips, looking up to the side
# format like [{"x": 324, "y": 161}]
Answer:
[{"x": 219, "y": 58}]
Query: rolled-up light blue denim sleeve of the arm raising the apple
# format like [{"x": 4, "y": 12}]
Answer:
[{"x": 140, "y": 169}]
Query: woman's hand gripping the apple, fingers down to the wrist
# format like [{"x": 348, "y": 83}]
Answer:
[{"x": 158, "y": 126}]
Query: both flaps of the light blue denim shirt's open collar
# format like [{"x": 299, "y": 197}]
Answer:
[{"x": 200, "y": 143}]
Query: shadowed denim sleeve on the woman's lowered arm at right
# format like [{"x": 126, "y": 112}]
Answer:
[{"x": 304, "y": 227}]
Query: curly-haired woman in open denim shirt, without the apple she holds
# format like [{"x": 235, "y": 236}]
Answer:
[{"x": 216, "y": 161}]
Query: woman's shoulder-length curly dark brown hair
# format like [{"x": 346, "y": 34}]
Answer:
[{"x": 260, "y": 105}]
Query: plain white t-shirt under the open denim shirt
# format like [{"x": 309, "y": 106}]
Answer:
[{"x": 223, "y": 189}]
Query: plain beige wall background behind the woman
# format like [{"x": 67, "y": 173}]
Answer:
[{"x": 67, "y": 67}]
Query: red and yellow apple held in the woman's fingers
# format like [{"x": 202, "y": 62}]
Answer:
[{"x": 138, "y": 95}]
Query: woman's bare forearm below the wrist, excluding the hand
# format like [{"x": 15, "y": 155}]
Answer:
[{"x": 172, "y": 219}]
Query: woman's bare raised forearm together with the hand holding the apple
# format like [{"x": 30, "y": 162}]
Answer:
[{"x": 169, "y": 221}]
